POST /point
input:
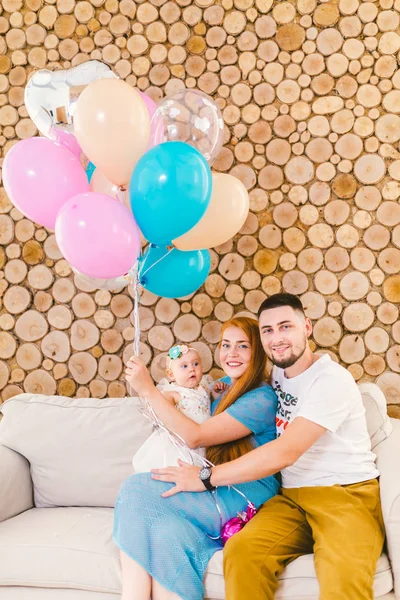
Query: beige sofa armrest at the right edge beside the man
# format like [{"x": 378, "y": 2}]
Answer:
[{"x": 388, "y": 453}]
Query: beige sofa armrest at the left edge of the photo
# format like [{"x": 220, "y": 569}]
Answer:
[{"x": 16, "y": 492}]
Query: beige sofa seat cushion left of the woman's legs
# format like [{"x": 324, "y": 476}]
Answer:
[{"x": 60, "y": 547}]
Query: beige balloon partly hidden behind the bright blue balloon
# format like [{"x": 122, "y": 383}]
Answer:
[{"x": 224, "y": 217}]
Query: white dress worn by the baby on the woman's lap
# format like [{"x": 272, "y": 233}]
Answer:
[{"x": 159, "y": 451}]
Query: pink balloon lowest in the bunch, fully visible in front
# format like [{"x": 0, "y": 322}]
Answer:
[{"x": 97, "y": 235}]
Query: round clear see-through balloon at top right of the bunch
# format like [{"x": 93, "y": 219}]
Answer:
[{"x": 193, "y": 117}]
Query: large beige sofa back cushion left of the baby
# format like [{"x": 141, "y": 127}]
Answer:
[{"x": 80, "y": 450}]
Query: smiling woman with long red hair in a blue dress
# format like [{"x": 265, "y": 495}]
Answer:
[{"x": 167, "y": 540}]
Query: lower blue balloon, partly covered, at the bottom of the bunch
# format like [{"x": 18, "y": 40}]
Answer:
[{"x": 173, "y": 273}]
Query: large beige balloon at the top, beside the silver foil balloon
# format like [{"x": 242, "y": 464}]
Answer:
[{"x": 112, "y": 126}]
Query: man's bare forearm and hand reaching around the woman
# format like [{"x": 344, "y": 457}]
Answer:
[{"x": 261, "y": 462}]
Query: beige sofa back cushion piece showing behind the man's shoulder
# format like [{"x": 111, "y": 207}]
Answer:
[{"x": 378, "y": 421}]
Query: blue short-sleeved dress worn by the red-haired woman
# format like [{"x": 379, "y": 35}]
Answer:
[{"x": 172, "y": 537}]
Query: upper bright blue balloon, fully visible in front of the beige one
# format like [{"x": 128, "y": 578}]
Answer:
[{"x": 170, "y": 191}]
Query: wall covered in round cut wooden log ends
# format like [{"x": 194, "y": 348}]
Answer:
[{"x": 310, "y": 95}]
